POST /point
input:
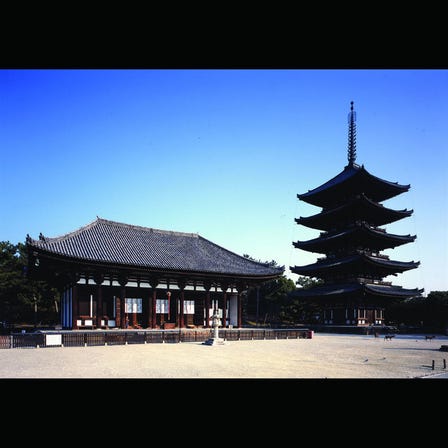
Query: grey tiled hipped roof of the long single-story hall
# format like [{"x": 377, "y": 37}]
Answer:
[{"x": 123, "y": 244}]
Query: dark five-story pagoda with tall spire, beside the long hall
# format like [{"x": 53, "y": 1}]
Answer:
[{"x": 352, "y": 290}]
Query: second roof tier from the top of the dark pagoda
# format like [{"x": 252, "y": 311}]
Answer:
[{"x": 359, "y": 208}]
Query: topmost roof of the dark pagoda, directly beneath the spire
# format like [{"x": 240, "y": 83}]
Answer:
[{"x": 352, "y": 180}]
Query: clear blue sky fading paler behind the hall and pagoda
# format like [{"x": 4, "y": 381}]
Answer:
[{"x": 222, "y": 153}]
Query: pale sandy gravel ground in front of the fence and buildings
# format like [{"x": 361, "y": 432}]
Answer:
[{"x": 323, "y": 356}]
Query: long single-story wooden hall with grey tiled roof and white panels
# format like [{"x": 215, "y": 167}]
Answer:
[{"x": 115, "y": 275}]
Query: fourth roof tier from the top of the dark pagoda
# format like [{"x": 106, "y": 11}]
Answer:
[{"x": 355, "y": 264}]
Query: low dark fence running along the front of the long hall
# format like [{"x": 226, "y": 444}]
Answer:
[{"x": 110, "y": 337}]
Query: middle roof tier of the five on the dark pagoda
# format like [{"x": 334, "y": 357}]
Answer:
[{"x": 360, "y": 235}]
